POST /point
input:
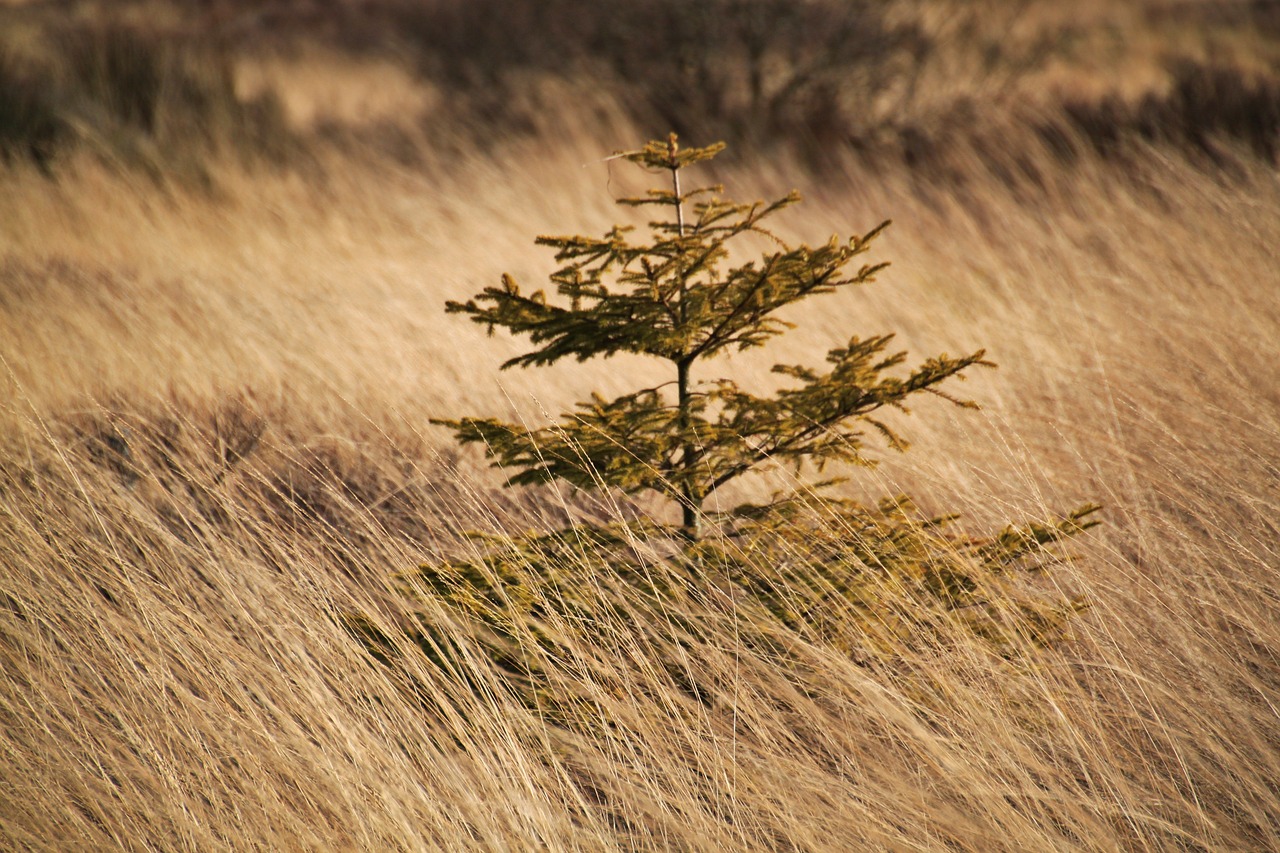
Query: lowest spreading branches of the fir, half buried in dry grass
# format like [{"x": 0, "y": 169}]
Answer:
[{"x": 876, "y": 585}]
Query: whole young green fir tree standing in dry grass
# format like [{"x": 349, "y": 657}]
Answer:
[{"x": 871, "y": 582}]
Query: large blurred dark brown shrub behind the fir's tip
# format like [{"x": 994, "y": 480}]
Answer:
[{"x": 747, "y": 69}]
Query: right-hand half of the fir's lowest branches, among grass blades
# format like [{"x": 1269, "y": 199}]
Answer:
[{"x": 879, "y": 582}]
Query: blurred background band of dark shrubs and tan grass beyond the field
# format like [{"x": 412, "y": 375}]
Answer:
[{"x": 922, "y": 83}]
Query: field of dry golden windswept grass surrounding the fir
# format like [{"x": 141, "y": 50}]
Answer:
[{"x": 214, "y": 449}]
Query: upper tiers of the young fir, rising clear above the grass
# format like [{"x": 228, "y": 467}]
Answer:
[{"x": 675, "y": 297}]
